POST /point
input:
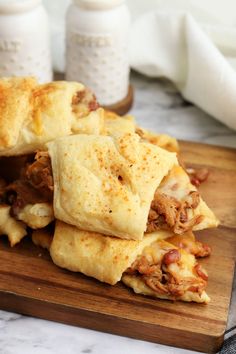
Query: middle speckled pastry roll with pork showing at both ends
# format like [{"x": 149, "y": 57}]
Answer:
[{"x": 107, "y": 185}]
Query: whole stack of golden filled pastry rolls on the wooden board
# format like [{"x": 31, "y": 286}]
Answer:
[{"x": 121, "y": 206}]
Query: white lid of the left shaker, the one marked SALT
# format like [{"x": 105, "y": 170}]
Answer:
[{"x": 14, "y": 6}]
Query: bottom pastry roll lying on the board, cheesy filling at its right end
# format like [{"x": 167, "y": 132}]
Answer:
[{"x": 151, "y": 266}]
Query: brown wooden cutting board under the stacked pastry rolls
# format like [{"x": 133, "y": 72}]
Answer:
[{"x": 31, "y": 284}]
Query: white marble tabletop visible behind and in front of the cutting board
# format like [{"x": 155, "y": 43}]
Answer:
[{"x": 158, "y": 107}]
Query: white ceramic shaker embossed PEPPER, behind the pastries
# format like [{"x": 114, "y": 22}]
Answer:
[{"x": 97, "y": 47}]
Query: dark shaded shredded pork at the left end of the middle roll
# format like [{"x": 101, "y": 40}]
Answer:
[{"x": 35, "y": 185}]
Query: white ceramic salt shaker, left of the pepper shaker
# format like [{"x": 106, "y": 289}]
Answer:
[{"x": 24, "y": 40}]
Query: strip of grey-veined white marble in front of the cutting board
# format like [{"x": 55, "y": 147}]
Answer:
[{"x": 25, "y": 335}]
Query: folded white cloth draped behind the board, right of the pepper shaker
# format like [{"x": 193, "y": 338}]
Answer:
[{"x": 173, "y": 45}]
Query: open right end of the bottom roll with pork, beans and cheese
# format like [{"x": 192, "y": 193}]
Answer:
[{"x": 167, "y": 272}]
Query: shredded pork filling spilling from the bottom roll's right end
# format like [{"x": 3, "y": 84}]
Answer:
[{"x": 159, "y": 278}]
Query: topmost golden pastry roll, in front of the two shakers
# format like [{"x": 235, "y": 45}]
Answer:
[{"x": 32, "y": 114}]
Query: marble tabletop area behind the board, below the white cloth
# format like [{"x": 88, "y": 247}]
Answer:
[{"x": 159, "y": 107}]
